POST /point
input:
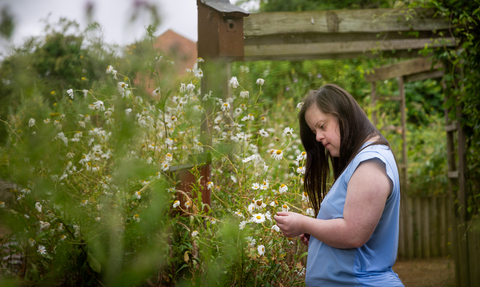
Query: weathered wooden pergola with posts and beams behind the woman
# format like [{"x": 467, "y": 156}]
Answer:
[{"x": 227, "y": 33}]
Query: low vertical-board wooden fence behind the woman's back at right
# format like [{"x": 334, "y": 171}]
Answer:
[{"x": 426, "y": 226}]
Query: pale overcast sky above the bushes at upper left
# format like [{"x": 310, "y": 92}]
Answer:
[{"x": 112, "y": 15}]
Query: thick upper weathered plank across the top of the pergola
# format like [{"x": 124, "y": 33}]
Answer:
[{"x": 343, "y": 21}]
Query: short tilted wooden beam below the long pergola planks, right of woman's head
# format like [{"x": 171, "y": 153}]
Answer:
[{"x": 400, "y": 69}]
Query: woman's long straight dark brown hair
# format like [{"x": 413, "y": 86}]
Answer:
[{"x": 355, "y": 129}]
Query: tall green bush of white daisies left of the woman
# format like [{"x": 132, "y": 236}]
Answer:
[{"x": 96, "y": 201}]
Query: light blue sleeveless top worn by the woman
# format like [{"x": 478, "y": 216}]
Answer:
[{"x": 371, "y": 264}]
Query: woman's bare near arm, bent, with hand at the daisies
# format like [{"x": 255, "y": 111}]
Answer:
[{"x": 367, "y": 193}]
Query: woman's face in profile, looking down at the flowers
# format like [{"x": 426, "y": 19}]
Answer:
[{"x": 326, "y": 129}]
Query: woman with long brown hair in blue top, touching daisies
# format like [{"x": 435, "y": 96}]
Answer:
[{"x": 354, "y": 238}]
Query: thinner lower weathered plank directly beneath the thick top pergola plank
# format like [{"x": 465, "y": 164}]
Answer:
[{"x": 339, "y": 47}]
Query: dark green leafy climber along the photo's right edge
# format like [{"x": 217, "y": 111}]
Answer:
[{"x": 462, "y": 78}]
